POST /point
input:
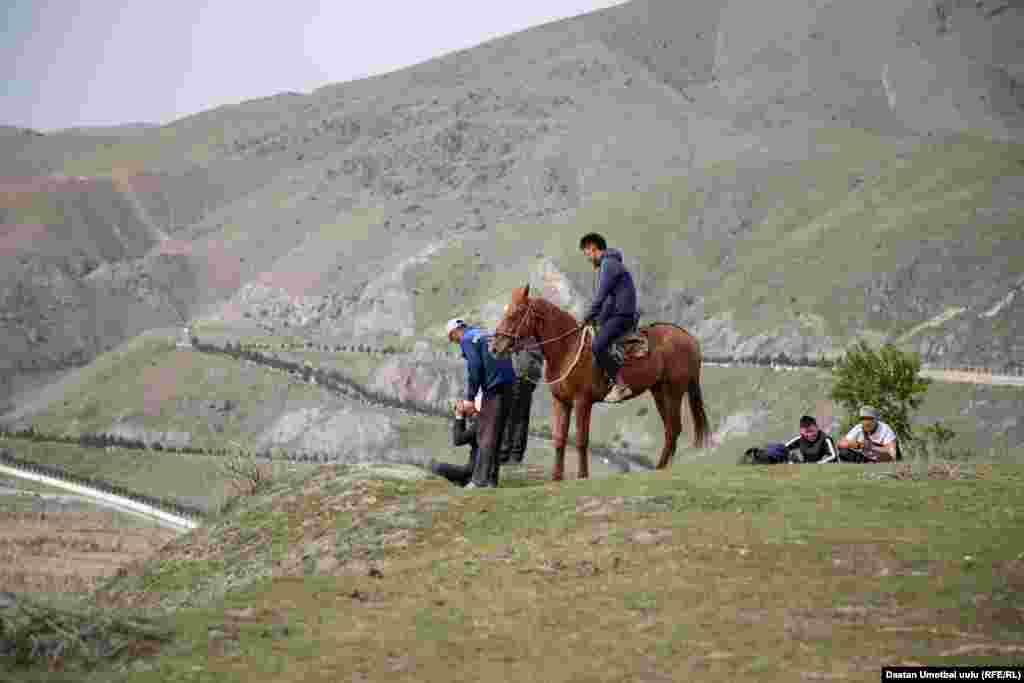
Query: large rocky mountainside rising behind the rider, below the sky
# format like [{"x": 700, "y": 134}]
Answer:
[{"x": 782, "y": 179}]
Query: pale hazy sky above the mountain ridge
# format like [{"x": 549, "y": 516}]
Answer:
[{"x": 72, "y": 63}]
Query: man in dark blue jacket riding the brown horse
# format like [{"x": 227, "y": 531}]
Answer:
[{"x": 615, "y": 309}]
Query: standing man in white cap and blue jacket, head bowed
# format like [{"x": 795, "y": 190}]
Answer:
[{"x": 497, "y": 378}]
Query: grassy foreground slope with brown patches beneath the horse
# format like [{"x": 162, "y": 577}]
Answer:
[{"x": 713, "y": 573}]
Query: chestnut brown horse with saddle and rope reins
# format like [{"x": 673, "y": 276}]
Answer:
[{"x": 671, "y": 370}]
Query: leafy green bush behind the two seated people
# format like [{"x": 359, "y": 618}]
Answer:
[{"x": 887, "y": 379}]
